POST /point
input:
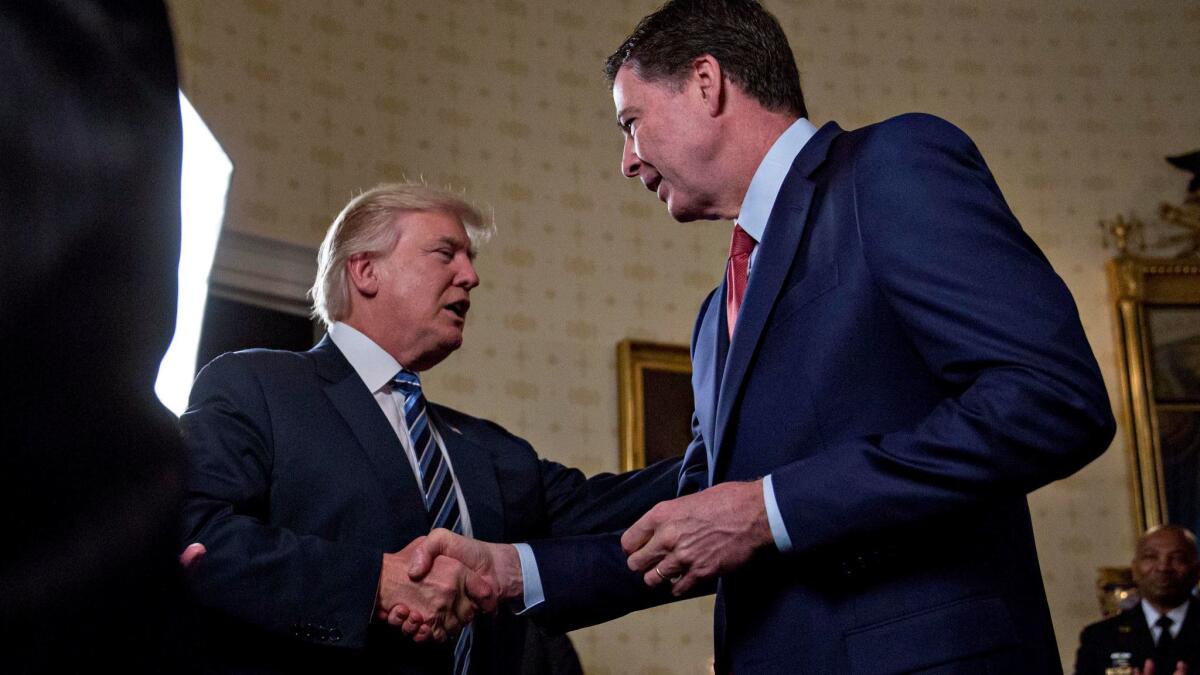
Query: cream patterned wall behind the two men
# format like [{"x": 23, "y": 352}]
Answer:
[{"x": 1075, "y": 105}]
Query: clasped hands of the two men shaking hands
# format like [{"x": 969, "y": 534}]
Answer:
[{"x": 436, "y": 586}]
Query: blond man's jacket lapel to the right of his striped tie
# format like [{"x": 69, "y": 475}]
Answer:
[{"x": 473, "y": 470}]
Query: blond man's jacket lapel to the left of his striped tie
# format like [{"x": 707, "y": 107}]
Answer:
[{"x": 375, "y": 435}]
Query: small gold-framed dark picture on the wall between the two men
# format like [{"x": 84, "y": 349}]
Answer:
[{"x": 655, "y": 384}]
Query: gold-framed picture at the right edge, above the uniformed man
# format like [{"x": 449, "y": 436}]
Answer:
[{"x": 1157, "y": 308}]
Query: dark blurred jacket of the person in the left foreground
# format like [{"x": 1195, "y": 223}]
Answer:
[{"x": 92, "y": 469}]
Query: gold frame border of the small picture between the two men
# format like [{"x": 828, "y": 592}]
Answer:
[{"x": 634, "y": 359}]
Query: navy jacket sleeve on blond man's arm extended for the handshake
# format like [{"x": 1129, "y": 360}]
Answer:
[{"x": 286, "y": 583}]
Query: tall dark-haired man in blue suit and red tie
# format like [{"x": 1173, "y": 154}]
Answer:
[{"x": 890, "y": 360}]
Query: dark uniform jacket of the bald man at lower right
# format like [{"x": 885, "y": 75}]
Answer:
[{"x": 1129, "y": 634}]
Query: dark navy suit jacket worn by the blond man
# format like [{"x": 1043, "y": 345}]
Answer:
[{"x": 299, "y": 486}]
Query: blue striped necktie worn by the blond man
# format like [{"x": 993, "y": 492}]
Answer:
[{"x": 437, "y": 483}]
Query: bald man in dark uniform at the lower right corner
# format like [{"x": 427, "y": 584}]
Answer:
[{"x": 1162, "y": 630}]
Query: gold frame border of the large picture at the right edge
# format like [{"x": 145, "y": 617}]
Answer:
[{"x": 1137, "y": 284}]
